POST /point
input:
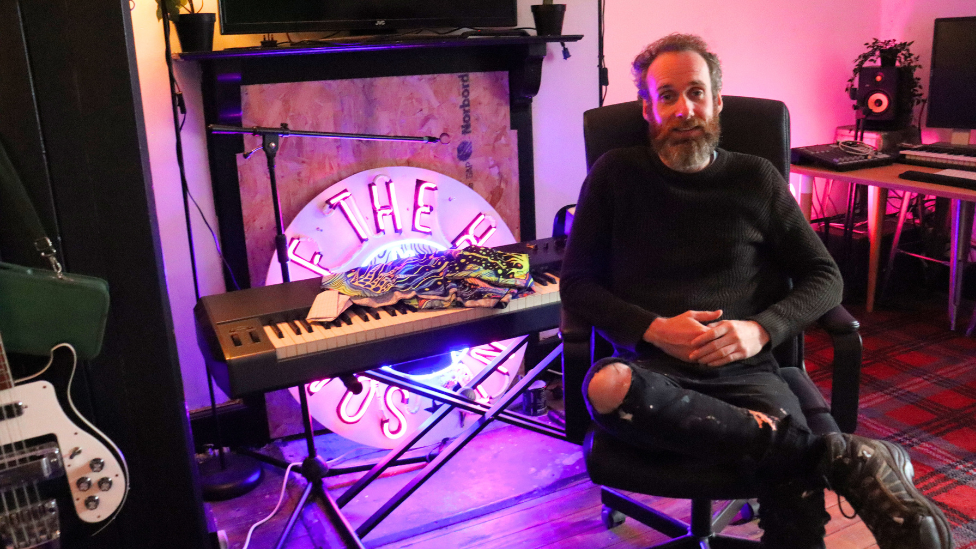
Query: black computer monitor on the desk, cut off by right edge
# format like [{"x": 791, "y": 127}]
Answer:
[{"x": 952, "y": 83}]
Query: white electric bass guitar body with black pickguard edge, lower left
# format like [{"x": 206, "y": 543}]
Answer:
[{"x": 53, "y": 472}]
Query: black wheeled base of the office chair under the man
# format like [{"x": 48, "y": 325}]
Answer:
[{"x": 701, "y": 533}]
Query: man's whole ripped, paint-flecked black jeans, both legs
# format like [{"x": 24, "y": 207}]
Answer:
[{"x": 743, "y": 415}]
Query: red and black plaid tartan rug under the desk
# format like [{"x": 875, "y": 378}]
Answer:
[{"x": 918, "y": 389}]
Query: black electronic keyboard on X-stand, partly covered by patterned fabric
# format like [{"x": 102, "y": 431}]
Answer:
[{"x": 257, "y": 340}]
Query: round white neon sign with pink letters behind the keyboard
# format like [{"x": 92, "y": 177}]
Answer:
[{"x": 362, "y": 221}]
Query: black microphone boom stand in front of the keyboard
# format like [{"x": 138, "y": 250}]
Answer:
[{"x": 313, "y": 468}]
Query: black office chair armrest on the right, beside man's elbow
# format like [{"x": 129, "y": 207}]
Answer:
[{"x": 845, "y": 394}]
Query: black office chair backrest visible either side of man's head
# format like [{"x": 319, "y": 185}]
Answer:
[{"x": 750, "y": 125}]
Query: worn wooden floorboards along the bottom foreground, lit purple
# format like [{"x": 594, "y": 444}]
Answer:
[{"x": 567, "y": 518}]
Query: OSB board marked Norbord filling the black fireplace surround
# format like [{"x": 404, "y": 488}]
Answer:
[{"x": 483, "y": 155}]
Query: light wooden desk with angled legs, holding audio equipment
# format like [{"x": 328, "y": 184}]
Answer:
[{"x": 879, "y": 180}]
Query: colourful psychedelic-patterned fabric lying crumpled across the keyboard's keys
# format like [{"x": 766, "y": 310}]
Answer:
[{"x": 472, "y": 277}]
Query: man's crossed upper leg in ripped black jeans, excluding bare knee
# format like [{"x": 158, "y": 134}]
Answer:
[{"x": 738, "y": 412}]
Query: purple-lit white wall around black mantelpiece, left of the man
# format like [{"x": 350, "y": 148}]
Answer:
[{"x": 568, "y": 88}]
